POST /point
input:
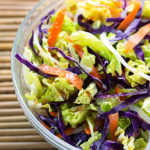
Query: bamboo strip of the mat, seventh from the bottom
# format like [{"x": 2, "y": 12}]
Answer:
[{"x": 8, "y": 104}]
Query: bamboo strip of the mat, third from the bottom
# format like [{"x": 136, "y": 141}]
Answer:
[{"x": 13, "y": 132}]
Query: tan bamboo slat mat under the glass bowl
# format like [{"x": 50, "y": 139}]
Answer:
[{"x": 15, "y": 131}]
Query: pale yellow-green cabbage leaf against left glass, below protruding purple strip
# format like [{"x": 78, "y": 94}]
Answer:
[{"x": 34, "y": 83}]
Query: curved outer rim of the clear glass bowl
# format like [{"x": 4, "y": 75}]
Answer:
[{"x": 50, "y": 138}]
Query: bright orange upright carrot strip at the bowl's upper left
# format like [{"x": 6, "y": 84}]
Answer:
[{"x": 56, "y": 28}]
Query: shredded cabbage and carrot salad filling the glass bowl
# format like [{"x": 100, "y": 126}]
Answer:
[{"x": 87, "y": 68}]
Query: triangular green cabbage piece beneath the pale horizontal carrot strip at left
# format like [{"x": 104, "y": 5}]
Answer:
[{"x": 51, "y": 95}]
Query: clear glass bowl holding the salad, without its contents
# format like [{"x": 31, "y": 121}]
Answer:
[{"x": 21, "y": 40}]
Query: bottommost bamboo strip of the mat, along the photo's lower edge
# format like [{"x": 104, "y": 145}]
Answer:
[{"x": 25, "y": 145}]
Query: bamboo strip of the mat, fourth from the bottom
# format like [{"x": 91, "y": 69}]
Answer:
[{"x": 14, "y": 125}]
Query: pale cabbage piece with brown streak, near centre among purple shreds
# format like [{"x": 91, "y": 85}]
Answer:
[{"x": 85, "y": 96}]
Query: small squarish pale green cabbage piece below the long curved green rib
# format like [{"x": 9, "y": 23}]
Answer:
[{"x": 87, "y": 61}]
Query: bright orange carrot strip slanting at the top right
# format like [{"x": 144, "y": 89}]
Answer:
[{"x": 126, "y": 22}]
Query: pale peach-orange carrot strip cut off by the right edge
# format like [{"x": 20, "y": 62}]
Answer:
[{"x": 137, "y": 37}]
